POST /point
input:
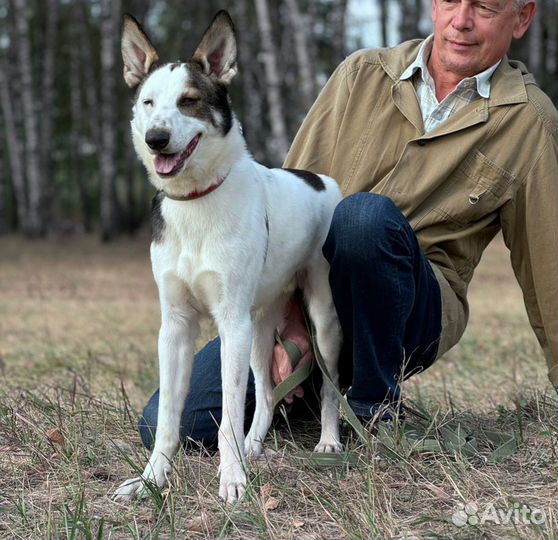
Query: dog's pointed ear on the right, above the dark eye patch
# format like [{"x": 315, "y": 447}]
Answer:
[{"x": 217, "y": 51}]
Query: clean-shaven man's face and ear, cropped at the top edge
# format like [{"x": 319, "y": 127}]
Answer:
[{"x": 472, "y": 35}]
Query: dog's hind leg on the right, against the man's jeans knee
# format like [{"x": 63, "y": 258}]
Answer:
[{"x": 317, "y": 295}]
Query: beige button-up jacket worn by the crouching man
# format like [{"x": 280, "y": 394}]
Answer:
[{"x": 492, "y": 166}]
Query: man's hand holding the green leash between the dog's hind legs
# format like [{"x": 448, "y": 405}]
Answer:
[{"x": 293, "y": 329}]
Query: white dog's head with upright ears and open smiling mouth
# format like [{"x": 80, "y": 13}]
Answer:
[{"x": 181, "y": 110}]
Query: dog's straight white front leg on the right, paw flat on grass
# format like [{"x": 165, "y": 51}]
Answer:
[{"x": 236, "y": 338}]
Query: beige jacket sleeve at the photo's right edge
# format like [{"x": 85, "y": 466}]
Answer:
[{"x": 530, "y": 229}]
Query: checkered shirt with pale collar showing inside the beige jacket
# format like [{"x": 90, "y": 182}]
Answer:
[{"x": 467, "y": 91}]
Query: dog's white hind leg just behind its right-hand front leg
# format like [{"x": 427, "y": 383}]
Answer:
[{"x": 260, "y": 362}]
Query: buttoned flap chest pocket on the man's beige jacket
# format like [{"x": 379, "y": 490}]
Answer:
[{"x": 476, "y": 189}]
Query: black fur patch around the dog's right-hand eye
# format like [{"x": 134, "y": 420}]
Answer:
[{"x": 213, "y": 105}]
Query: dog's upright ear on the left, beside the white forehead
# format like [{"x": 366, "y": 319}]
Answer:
[{"x": 137, "y": 52}]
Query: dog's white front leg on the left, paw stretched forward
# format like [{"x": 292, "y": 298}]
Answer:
[{"x": 177, "y": 337}]
